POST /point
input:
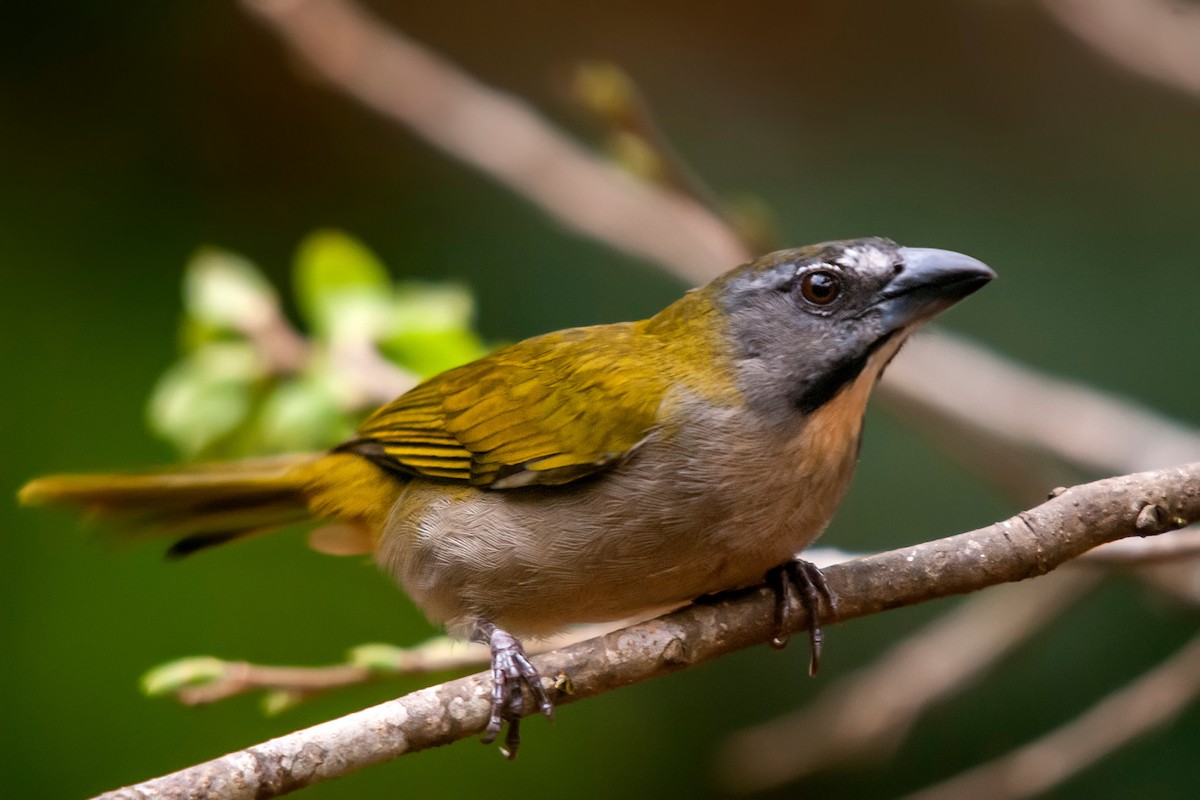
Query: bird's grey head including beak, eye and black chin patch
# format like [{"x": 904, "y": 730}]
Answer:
[{"x": 806, "y": 324}]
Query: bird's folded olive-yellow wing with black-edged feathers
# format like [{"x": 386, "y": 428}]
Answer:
[{"x": 547, "y": 411}]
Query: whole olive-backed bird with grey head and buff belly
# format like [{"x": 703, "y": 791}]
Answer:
[{"x": 597, "y": 473}]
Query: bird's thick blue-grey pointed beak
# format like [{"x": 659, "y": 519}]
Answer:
[{"x": 929, "y": 282}]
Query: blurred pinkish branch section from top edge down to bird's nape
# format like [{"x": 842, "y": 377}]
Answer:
[{"x": 502, "y": 137}]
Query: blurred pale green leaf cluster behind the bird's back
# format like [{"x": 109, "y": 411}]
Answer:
[{"x": 247, "y": 383}]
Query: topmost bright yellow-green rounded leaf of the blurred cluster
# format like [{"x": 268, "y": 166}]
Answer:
[{"x": 343, "y": 288}]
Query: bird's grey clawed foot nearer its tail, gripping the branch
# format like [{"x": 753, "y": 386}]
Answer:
[{"x": 511, "y": 670}]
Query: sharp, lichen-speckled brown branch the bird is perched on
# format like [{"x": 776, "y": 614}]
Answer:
[{"x": 1031, "y": 544}]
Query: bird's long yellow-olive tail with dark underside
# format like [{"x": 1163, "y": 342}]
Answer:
[{"x": 200, "y": 506}]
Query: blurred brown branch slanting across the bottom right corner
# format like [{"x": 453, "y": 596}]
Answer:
[{"x": 1153, "y": 701}]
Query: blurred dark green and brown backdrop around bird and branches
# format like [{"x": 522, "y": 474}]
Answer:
[{"x": 134, "y": 134}]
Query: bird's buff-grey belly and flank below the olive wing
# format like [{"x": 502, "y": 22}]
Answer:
[{"x": 664, "y": 528}]
